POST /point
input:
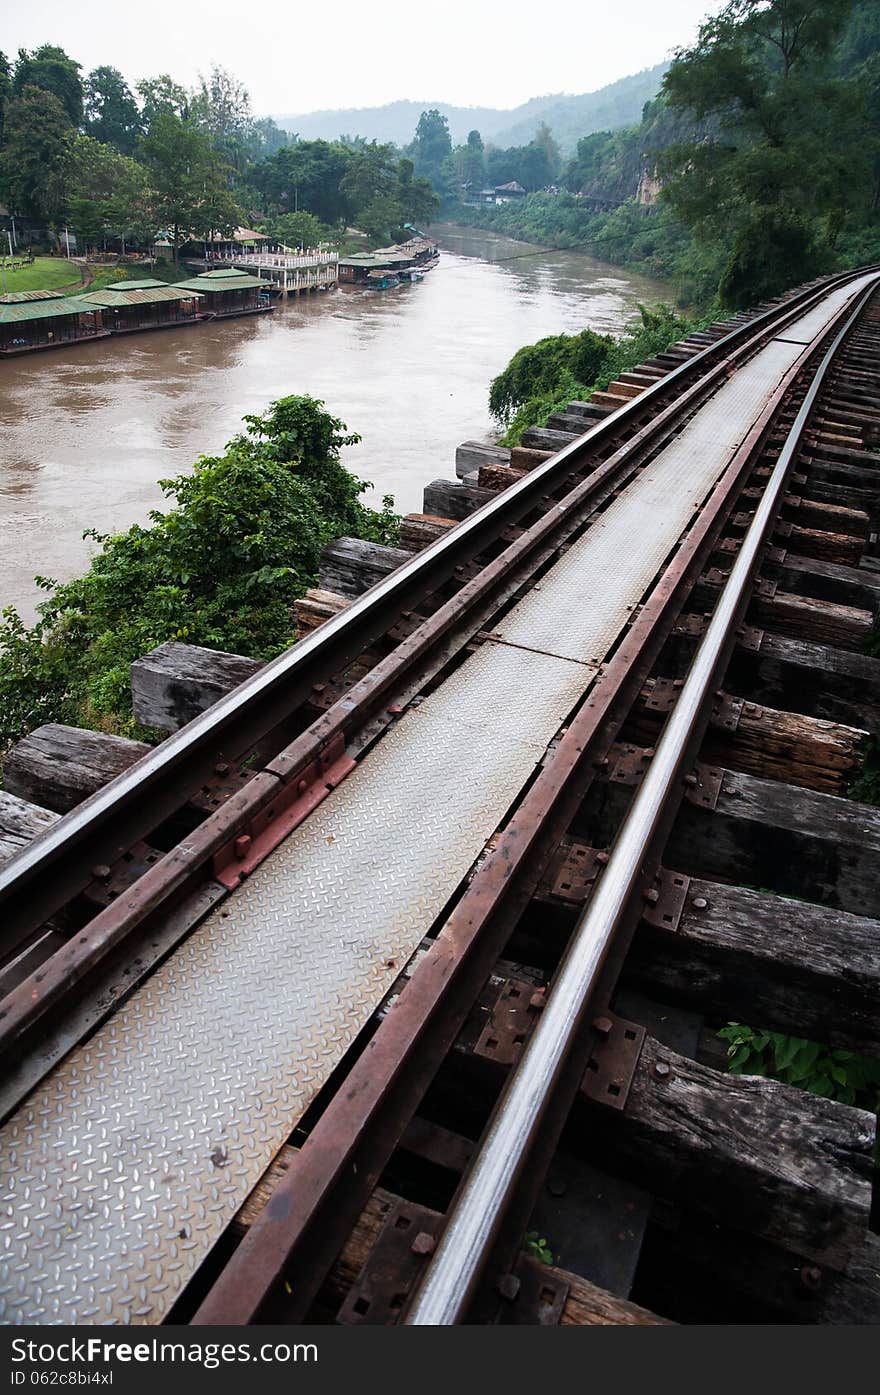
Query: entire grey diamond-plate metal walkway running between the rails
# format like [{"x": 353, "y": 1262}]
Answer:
[{"x": 125, "y": 1167}]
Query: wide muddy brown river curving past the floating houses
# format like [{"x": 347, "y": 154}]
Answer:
[{"x": 89, "y": 432}]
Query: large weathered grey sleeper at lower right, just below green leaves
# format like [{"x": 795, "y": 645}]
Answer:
[{"x": 759, "y": 1156}]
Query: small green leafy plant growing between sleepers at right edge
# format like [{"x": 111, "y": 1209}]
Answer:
[{"x": 824, "y": 1071}]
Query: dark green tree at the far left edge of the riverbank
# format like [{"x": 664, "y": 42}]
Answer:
[{"x": 36, "y": 154}]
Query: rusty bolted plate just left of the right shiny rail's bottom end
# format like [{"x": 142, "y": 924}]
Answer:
[{"x": 395, "y": 1262}]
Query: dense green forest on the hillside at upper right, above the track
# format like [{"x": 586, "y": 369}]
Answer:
[{"x": 755, "y": 168}]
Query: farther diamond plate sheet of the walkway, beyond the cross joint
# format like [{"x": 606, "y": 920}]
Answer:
[{"x": 581, "y": 606}]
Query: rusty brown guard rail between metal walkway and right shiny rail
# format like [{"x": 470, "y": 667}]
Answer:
[{"x": 333, "y": 1175}]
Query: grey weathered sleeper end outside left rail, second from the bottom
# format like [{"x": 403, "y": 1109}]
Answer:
[{"x": 59, "y": 767}]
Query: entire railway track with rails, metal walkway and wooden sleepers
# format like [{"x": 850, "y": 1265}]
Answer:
[{"x": 453, "y": 887}]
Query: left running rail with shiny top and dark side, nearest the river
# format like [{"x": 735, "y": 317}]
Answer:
[{"x": 288, "y": 680}]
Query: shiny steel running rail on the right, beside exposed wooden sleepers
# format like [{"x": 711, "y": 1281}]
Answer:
[{"x": 454, "y": 1272}]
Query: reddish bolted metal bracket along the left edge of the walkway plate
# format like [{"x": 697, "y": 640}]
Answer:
[{"x": 294, "y": 804}]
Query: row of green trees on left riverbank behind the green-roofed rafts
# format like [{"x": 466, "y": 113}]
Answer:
[{"x": 115, "y": 167}]
